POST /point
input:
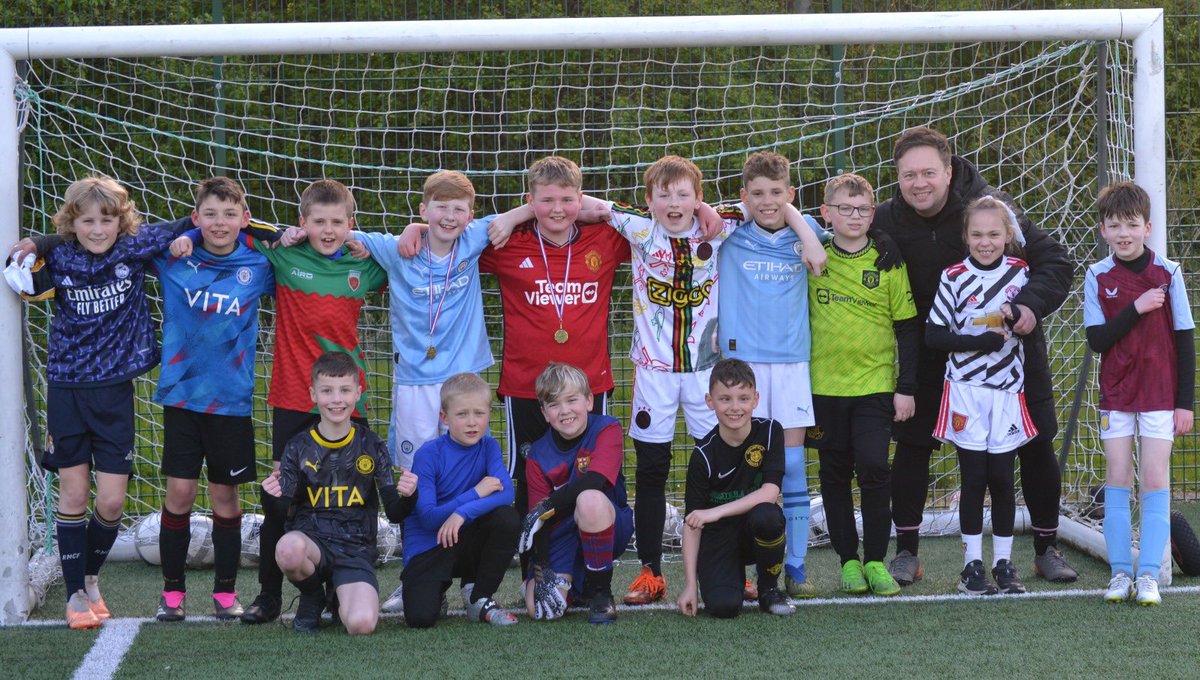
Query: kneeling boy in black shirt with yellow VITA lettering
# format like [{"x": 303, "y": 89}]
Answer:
[{"x": 335, "y": 476}]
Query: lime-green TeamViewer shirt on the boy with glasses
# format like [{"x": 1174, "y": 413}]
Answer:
[{"x": 853, "y": 308}]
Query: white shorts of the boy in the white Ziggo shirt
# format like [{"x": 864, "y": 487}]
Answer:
[{"x": 658, "y": 398}]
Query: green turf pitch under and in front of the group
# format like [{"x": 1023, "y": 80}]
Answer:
[{"x": 992, "y": 637}]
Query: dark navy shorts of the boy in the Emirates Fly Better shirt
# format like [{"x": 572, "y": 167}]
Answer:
[{"x": 91, "y": 426}]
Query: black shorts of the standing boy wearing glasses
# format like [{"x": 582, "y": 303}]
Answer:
[{"x": 842, "y": 423}]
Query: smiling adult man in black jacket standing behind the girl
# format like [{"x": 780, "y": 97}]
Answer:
[{"x": 926, "y": 220}]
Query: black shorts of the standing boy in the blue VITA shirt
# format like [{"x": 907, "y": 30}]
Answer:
[{"x": 190, "y": 438}]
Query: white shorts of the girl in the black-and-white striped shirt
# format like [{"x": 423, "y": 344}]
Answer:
[{"x": 982, "y": 419}]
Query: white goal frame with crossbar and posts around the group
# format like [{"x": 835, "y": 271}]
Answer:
[{"x": 1144, "y": 28}]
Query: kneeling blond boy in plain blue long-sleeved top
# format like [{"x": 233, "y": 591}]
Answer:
[{"x": 464, "y": 523}]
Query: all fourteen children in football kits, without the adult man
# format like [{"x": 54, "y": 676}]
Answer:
[{"x": 445, "y": 478}]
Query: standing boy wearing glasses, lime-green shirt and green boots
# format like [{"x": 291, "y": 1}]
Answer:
[{"x": 860, "y": 316}]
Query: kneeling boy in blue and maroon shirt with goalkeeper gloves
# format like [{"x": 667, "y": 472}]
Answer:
[{"x": 577, "y": 485}]
